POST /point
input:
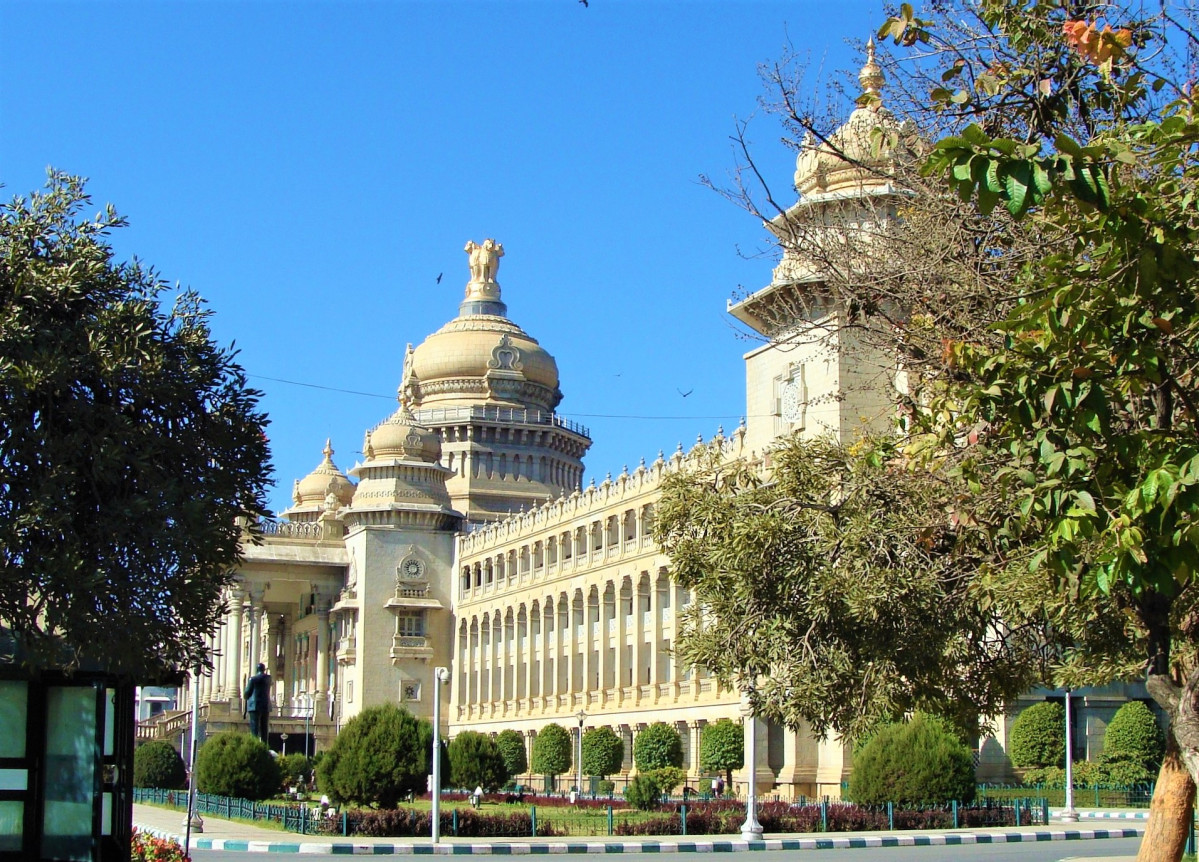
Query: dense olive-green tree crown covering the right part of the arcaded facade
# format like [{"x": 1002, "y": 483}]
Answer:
[{"x": 846, "y": 588}]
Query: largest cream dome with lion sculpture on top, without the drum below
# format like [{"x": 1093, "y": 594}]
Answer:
[{"x": 481, "y": 358}]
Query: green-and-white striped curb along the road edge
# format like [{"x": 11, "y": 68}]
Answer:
[{"x": 654, "y": 847}]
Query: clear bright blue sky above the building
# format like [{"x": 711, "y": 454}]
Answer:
[{"x": 310, "y": 168}]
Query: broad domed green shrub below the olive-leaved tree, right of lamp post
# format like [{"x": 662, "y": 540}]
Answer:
[{"x": 920, "y": 763}]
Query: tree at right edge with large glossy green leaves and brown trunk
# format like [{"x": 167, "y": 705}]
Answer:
[{"x": 1086, "y": 389}]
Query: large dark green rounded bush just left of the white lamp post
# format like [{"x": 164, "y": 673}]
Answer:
[{"x": 379, "y": 757}]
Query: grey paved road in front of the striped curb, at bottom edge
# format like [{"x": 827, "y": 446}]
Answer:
[{"x": 1041, "y": 852}]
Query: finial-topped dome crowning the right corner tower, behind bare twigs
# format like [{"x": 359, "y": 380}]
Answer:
[{"x": 847, "y": 161}]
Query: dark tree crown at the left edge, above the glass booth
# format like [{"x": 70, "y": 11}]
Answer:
[{"x": 130, "y": 445}]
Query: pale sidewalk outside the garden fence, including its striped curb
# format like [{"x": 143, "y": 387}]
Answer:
[{"x": 228, "y": 835}]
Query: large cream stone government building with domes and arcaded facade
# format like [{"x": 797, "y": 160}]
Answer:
[{"x": 469, "y": 540}]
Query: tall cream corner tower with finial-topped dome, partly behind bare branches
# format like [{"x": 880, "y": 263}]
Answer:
[{"x": 816, "y": 373}]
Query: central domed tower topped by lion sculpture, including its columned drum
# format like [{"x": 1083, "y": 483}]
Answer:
[{"x": 490, "y": 390}]
